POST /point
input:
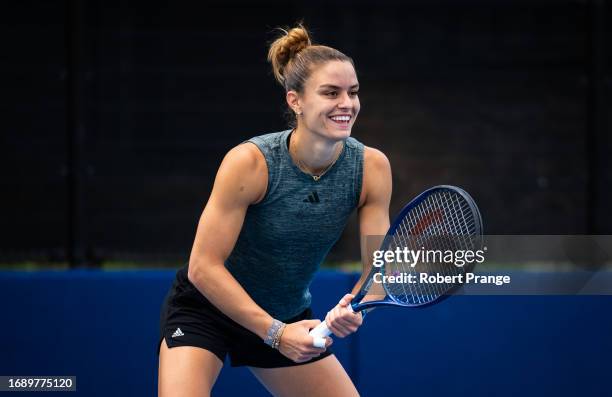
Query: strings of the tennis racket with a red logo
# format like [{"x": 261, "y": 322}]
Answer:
[{"x": 443, "y": 222}]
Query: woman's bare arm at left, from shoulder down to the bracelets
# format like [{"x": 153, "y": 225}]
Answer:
[{"x": 240, "y": 181}]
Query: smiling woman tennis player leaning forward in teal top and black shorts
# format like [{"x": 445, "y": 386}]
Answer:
[{"x": 279, "y": 203}]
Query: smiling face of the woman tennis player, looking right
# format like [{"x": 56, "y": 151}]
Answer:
[{"x": 330, "y": 103}]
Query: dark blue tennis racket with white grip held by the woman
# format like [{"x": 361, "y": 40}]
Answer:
[{"x": 442, "y": 219}]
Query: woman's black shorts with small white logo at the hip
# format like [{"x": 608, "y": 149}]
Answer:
[{"x": 189, "y": 319}]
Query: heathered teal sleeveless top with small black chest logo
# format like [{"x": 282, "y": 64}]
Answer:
[{"x": 286, "y": 236}]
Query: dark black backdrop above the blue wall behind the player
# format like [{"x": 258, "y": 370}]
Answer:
[{"x": 115, "y": 115}]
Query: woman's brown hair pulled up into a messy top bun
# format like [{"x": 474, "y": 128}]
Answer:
[{"x": 294, "y": 58}]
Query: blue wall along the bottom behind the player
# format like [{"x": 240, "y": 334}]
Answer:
[{"x": 103, "y": 328}]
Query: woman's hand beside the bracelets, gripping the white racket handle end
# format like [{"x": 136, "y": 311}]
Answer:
[{"x": 297, "y": 345}]
